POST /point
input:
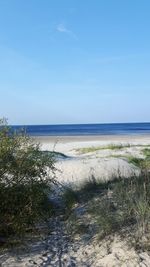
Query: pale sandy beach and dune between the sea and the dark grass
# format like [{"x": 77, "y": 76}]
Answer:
[{"x": 94, "y": 156}]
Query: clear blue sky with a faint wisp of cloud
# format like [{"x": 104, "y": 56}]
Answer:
[{"x": 74, "y": 61}]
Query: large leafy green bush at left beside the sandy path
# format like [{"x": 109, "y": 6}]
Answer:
[{"x": 24, "y": 182}]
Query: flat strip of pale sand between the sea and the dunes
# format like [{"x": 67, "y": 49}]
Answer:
[{"x": 67, "y": 143}]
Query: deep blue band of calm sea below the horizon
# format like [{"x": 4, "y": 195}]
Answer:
[{"x": 87, "y": 129}]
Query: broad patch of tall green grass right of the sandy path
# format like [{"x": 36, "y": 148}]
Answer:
[{"x": 115, "y": 206}]
